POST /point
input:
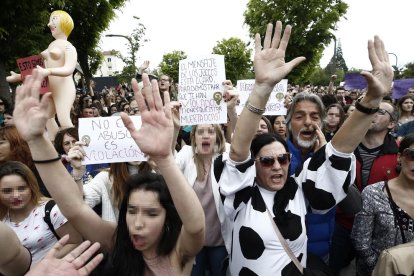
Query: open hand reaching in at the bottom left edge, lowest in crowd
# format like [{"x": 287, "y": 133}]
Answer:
[{"x": 73, "y": 264}]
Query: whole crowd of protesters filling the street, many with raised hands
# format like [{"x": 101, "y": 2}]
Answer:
[{"x": 303, "y": 193}]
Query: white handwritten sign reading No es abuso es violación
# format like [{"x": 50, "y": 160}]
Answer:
[{"x": 108, "y": 140}]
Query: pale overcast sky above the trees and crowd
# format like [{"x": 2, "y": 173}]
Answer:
[{"x": 195, "y": 27}]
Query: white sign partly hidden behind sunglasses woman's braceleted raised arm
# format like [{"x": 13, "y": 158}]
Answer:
[{"x": 275, "y": 105}]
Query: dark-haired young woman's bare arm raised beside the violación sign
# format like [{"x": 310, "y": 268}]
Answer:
[{"x": 154, "y": 138}]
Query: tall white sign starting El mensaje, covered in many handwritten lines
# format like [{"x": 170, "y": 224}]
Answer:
[{"x": 200, "y": 90}]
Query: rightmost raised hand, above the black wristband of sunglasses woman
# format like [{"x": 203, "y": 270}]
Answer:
[{"x": 380, "y": 78}]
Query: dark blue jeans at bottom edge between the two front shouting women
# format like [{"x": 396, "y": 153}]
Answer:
[{"x": 211, "y": 259}]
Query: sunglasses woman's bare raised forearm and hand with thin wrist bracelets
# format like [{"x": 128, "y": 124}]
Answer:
[{"x": 270, "y": 68}]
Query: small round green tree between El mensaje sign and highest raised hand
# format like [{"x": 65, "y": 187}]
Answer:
[{"x": 237, "y": 58}]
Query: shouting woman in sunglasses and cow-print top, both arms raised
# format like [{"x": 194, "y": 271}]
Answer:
[{"x": 257, "y": 191}]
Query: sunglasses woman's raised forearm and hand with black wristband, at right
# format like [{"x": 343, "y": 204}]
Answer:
[{"x": 379, "y": 81}]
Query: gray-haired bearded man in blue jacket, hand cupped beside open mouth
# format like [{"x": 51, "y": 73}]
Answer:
[{"x": 304, "y": 121}]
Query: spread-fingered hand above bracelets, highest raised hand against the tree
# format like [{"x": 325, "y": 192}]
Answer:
[{"x": 269, "y": 60}]
